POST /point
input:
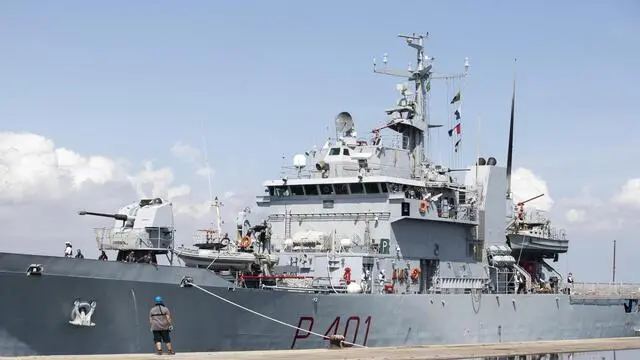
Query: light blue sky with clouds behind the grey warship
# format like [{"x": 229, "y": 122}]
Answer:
[{"x": 104, "y": 102}]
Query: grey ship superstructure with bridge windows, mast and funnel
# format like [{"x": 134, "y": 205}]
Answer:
[{"x": 384, "y": 216}]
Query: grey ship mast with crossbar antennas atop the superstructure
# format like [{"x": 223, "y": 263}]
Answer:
[{"x": 413, "y": 126}]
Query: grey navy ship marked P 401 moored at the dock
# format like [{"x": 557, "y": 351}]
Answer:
[{"x": 367, "y": 240}]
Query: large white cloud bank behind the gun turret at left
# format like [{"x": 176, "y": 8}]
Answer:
[{"x": 43, "y": 186}]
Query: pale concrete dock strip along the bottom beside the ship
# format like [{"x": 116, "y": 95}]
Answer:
[{"x": 440, "y": 352}]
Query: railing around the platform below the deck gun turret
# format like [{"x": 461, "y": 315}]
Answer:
[{"x": 132, "y": 239}]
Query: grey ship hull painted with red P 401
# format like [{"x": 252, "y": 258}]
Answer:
[{"x": 35, "y": 313}]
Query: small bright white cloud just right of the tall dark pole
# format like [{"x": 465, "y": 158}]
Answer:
[{"x": 526, "y": 185}]
